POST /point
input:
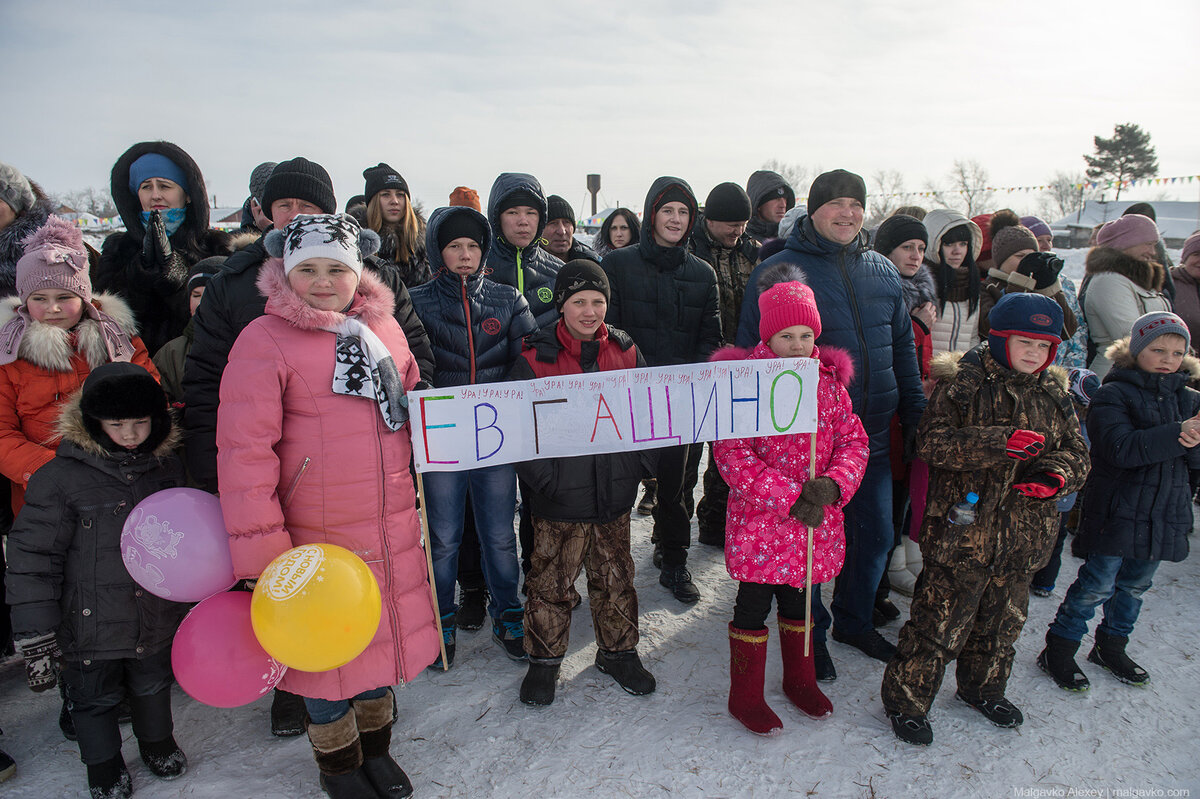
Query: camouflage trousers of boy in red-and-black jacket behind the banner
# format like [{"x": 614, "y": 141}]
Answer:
[{"x": 561, "y": 550}]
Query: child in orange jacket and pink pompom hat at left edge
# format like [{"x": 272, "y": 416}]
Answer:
[{"x": 53, "y": 334}]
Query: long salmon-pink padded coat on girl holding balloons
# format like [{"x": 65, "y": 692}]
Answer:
[{"x": 298, "y": 464}]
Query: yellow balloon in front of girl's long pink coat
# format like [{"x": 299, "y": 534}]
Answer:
[{"x": 316, "y": 608}]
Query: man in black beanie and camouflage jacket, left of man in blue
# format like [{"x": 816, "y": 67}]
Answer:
[{"x": 721, "y": 239}]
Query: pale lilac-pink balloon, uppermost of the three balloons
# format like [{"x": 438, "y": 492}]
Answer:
[{"x": 175, "y": 545}]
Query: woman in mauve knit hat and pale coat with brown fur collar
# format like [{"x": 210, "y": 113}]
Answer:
[{"x": 1123, "y": 283}]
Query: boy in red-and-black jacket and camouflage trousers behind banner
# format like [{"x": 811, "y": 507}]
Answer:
[{"x": 581, "y": 506}]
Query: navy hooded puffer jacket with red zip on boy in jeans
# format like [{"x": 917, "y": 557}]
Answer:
[{"x": 476, "y": 326}]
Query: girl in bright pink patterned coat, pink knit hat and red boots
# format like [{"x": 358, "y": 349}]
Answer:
[{"x": 773, "y": 507}]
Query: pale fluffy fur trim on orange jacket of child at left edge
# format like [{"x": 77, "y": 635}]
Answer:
[{"x": 52, "y": 349}]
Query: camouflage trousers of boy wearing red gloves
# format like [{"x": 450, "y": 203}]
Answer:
[{"x": 958, "y": 612}]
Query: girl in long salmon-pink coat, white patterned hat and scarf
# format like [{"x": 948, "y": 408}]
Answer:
[{"x": 314, "y": 448}]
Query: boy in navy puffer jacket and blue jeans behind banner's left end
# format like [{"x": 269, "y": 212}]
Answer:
[{"x": 477, "y": 328}]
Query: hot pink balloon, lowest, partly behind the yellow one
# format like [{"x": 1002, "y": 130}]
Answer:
[{"x": 218, "y": 659}]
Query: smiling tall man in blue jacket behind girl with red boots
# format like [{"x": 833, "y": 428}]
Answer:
[{"x": 859, "y": 296}]
